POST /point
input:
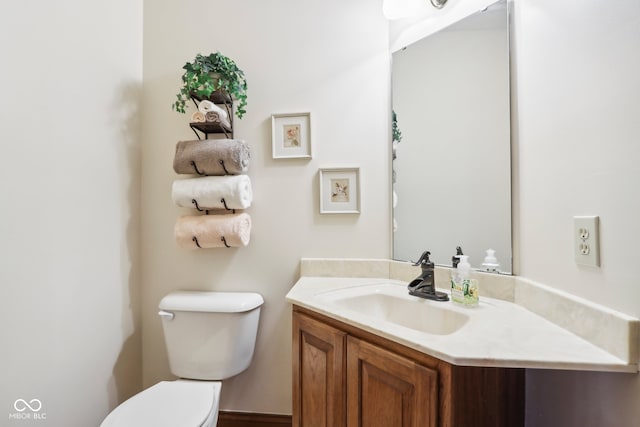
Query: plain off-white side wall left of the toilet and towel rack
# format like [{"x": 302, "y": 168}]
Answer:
[{"x": 69, "y": 324}]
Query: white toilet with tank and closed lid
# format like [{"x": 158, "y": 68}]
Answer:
[{"x": 210, "y": 336}]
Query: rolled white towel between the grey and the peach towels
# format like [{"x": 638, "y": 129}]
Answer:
[{"x": 210, "y": 191}]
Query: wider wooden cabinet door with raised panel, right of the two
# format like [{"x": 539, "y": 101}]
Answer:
[{"x": 388, "y": 390}]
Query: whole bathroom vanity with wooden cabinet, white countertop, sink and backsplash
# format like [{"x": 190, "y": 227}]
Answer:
[{"x": 365, "y": 352}]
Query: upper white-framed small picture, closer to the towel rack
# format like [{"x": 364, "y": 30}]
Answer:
[{"x": 291, "y": 135}]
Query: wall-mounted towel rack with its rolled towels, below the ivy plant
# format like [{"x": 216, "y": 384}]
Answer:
[{"x": 221, "y": 184}]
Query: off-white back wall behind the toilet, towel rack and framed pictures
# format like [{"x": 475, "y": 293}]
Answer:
[{"x": 329, "y": 58}]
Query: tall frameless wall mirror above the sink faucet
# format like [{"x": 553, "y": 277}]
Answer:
[{"x": 452, "y": 165}]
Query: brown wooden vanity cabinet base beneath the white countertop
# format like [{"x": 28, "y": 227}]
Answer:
[{"x": 344, "y": 376}]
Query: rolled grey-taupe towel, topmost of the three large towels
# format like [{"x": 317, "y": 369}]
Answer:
[{"x": 212, "y": 157}]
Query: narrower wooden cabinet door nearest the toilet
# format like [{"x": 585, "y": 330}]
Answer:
[{"x": 318, "y": 374}]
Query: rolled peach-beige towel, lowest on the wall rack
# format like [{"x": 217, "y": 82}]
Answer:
[{"x": 213, "y": 231}]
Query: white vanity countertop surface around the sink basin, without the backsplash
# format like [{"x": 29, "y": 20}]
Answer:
[{"x": 499, "y": 333}]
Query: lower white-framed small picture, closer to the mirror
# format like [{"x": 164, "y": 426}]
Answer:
[{"x": 339, "y": 190}]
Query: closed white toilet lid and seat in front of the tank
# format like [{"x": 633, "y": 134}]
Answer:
[{"x": 169, "y": 404}]
